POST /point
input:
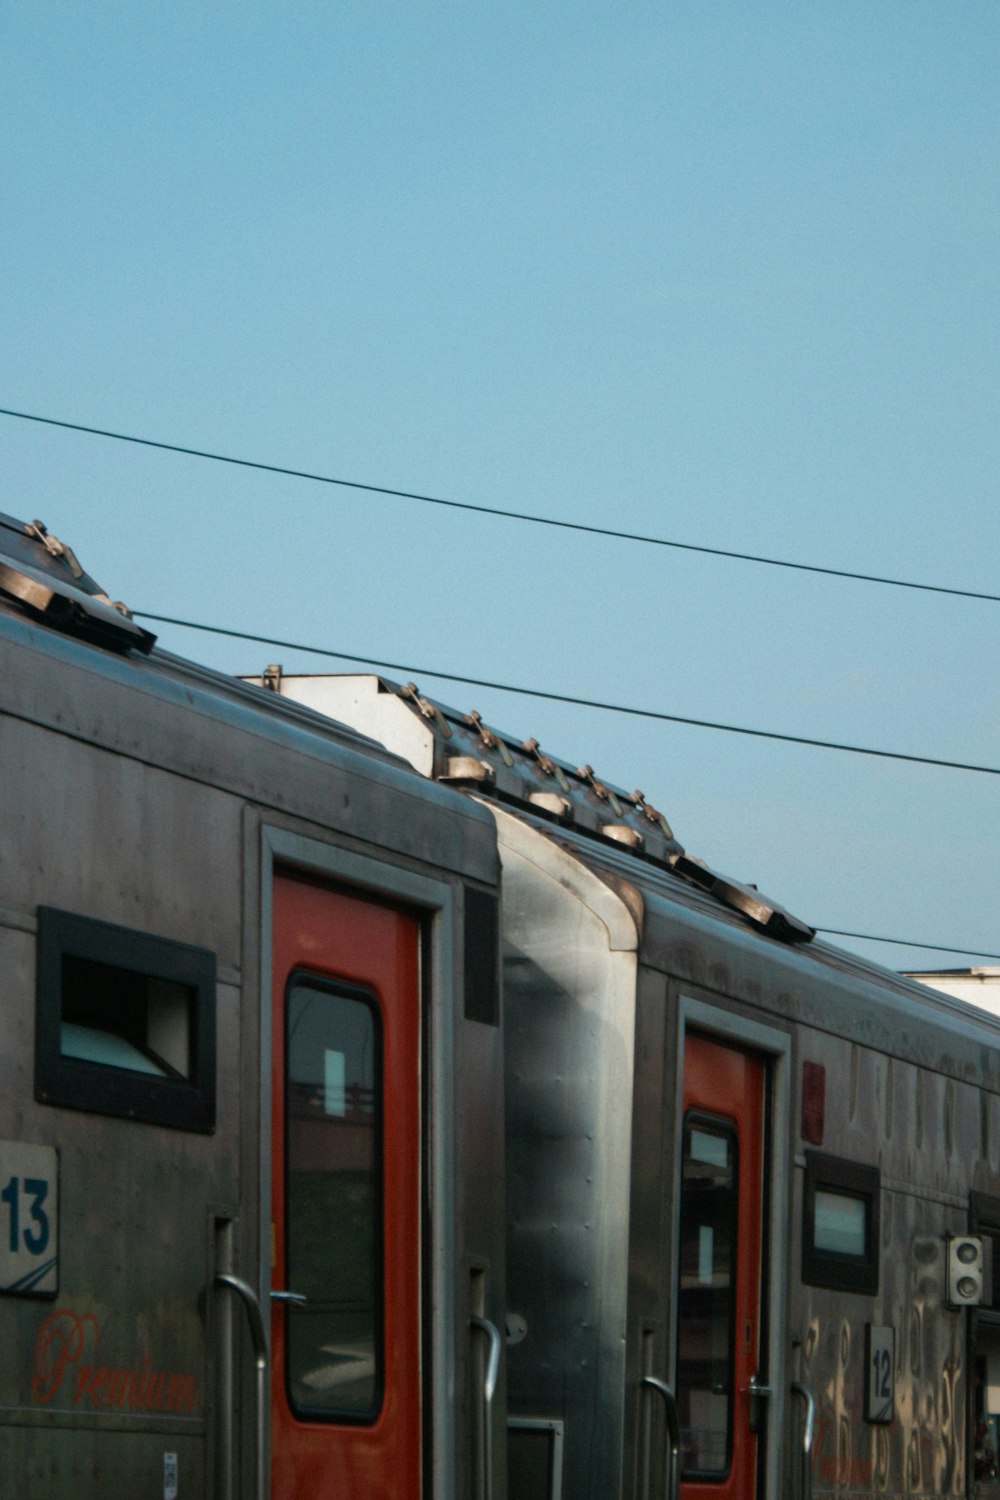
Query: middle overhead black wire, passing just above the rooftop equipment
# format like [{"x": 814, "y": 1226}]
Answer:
[{"x": 567, "y": 698}]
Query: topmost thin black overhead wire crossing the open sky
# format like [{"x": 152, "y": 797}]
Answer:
[{"x": 500, "y": 512}]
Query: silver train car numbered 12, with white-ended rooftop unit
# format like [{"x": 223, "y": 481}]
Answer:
[{"x": 752, "y": 1183}]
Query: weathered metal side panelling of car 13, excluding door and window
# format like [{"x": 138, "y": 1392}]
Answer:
[{"x": 136, "y": 793}]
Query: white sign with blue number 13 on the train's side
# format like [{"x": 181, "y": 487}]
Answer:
[{"x": 29, "y": 1220}]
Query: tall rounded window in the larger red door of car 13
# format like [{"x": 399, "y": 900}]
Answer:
[{"x": 334, "y": 1202}]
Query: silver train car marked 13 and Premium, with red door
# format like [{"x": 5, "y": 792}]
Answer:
[{"x": 251, "y": 1181}]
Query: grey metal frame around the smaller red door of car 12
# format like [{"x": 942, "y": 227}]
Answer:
[{"x": 774, "y": 1048}]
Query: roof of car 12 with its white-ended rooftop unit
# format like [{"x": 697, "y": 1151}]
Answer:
[{"x": 690, "y": 922}]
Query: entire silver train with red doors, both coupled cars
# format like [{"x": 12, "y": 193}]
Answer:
[{"x": 392, "y": 1111}]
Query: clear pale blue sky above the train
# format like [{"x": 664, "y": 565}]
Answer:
[{"x": 720, "y": 274}]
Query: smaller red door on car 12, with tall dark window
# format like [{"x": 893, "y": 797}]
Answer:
[{"x": 719, "y": 1273}]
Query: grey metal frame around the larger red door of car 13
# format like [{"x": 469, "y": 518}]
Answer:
[{"x": 434, "y": 902}]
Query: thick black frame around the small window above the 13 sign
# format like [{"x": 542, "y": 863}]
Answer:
[{"x": 181, "y": 1103}]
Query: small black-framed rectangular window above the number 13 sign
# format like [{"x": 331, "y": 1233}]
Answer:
[{"x": 125, "y": 1022}]
